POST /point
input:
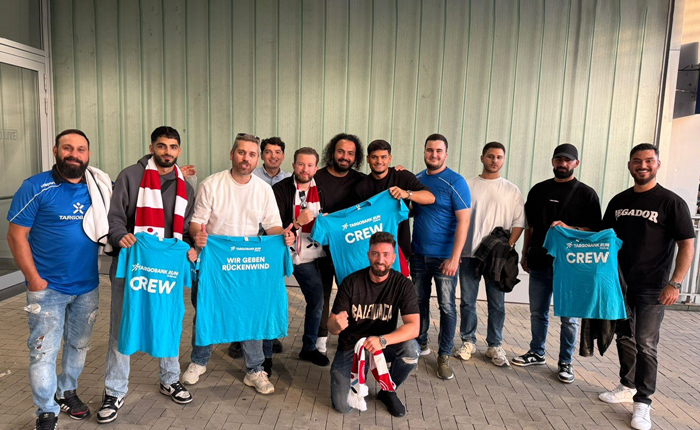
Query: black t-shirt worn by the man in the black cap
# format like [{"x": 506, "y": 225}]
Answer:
[{"x": 544, "y": 203}]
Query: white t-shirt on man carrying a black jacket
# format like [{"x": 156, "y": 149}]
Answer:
[{"x": 495, "y": 203}]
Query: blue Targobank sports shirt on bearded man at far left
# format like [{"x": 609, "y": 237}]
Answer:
[{"x": 53, "y": 209}]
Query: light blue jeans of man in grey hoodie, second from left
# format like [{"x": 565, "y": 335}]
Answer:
[{"x": 118, "y": 365}]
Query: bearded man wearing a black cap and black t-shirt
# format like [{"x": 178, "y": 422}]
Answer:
[{"x": 562, "y": 200}]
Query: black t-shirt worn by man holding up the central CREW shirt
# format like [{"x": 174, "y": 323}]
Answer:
[{"x": 405, "y": 180}]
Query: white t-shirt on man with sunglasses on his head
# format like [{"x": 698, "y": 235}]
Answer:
[{"x": 232, "y": 209}]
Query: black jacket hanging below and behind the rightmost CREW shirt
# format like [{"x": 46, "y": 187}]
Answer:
[{"x": 602, "y": 332}]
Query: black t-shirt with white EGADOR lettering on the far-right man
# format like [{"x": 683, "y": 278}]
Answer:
[{"x": 649, "y": 224}]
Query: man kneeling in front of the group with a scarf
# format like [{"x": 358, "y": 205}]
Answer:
[{"x": 367, "y": 307}]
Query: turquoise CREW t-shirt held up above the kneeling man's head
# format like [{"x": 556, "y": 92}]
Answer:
[{"x": 348, "y": 231}]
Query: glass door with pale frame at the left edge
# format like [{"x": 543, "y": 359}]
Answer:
[{"x": 23, "y": 107}]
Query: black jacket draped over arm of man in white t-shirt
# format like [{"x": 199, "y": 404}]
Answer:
[{"x": 498, "y": 260}]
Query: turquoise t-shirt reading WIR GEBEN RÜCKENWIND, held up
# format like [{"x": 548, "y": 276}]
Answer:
[{"x": 241, "y": 293}]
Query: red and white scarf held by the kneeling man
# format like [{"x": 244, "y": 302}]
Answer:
[{"x": 358, "y": 383}]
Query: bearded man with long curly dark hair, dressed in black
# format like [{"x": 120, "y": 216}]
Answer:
[{"x": 343, "y": 157}]
